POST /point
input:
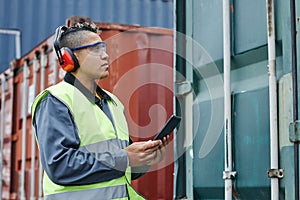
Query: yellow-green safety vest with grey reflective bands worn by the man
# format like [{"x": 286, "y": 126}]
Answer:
[{"x": 96, "y": 133}]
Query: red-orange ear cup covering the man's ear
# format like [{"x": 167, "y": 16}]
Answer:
[{"x": 70, "y": 62}]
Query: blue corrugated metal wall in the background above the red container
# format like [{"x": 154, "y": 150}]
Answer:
[{"x": 38, "y": 18}]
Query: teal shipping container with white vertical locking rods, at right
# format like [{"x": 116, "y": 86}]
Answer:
[{"x": 239, "y": 59}]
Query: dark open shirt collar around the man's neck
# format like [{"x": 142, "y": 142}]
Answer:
[{"x": 71, "y": 79}]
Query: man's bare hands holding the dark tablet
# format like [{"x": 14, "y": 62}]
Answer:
[{"x": 146, "y": 153}]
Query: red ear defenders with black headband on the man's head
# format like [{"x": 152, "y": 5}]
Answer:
[{"x": 66, "y": 58}]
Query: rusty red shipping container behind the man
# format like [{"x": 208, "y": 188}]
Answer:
[{"x": 141, "y": 75}]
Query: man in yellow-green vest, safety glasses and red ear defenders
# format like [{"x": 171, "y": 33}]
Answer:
[{"x": 81, "y": 130}]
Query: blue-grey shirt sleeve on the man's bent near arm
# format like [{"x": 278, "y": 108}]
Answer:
[{"x": 59, "y": 144}]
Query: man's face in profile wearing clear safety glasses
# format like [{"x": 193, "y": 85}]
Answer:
[{"x": 93, "y": 60}]
